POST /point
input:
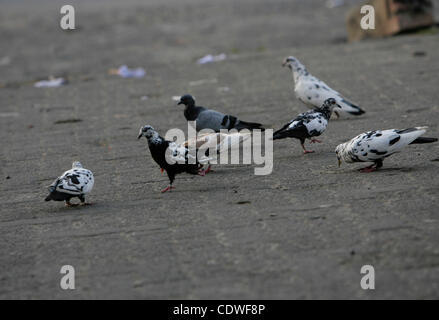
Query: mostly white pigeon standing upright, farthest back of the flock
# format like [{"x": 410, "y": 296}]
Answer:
[{"x": 313, "y": 91}]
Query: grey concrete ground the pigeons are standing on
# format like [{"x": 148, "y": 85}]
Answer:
[{"x": 303, "y": 232}]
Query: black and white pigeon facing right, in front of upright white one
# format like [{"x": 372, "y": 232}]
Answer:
[{"x": 308, "y": 125}]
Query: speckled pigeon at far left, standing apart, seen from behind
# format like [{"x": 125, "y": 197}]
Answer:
[{"x": 76, "y": 182}]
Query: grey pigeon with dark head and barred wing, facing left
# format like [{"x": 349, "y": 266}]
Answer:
[{"x": 211, "y": 119}]
